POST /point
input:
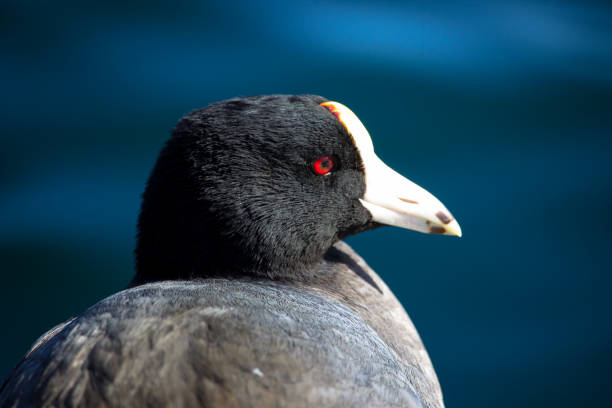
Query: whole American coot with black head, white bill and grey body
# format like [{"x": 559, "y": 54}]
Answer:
[{"x": 244, "y": 295}]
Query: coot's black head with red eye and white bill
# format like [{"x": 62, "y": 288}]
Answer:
[{"x": 263, "y": 186}]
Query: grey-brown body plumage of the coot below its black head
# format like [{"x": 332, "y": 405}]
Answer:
[{"x": 341, "y": 340}]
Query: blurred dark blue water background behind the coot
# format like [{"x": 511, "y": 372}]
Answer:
[{"x": 503, "y": 110}]
